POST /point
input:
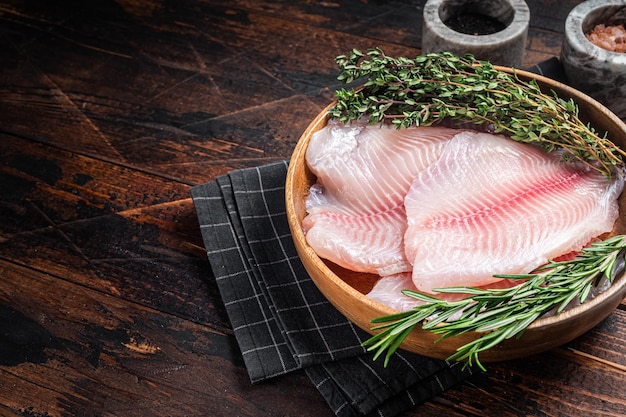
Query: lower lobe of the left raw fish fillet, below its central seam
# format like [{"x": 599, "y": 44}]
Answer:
[{"x": 370, "y": 243}]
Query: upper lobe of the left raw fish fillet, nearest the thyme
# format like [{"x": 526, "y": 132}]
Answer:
[{"x": 365, "y": 169}]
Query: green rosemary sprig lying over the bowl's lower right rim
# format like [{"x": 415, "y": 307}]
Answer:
[{"x": 502, "y": 313}]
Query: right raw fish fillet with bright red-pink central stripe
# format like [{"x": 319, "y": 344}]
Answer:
[{"x": 490, "y": 205}]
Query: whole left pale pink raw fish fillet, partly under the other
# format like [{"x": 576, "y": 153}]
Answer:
[{"x": 356, "y": 215}]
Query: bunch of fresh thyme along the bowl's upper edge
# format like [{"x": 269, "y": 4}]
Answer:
[{"x": 432, "y": 88}]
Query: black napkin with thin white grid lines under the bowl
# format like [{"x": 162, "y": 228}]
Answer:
[{"x": 280, "y": 319}]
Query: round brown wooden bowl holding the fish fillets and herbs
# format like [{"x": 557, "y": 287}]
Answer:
[{"x": 346, "y": 289}]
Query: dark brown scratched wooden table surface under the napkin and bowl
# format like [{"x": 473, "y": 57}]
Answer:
[{"x": 109, "y": 112}]
